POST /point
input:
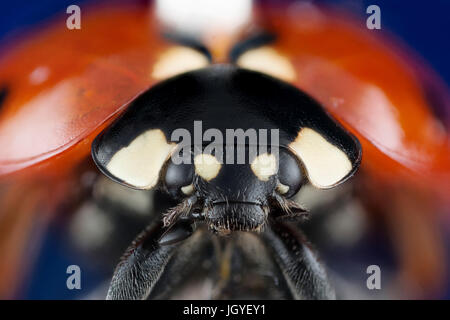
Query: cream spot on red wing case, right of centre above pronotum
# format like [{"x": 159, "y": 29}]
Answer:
[{"x": 268, "y": 60}]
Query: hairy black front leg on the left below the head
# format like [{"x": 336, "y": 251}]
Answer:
[{"x": 144, "y": 261}]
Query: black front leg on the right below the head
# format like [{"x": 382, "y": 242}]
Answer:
[{"x": 304, "y": 275}]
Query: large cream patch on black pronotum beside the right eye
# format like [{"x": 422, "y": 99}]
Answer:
[{"x": 325, "y": 164}]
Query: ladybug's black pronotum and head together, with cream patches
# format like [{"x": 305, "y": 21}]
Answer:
[{"x": 236, "y": 142}]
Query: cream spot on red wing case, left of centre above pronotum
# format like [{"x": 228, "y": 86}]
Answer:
[{"x": 177, "y": 60}]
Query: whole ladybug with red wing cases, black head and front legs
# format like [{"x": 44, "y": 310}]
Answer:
[{"x": 324, "y": 90}]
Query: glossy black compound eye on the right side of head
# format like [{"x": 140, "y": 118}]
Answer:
[{"x": 290, "y": 175}]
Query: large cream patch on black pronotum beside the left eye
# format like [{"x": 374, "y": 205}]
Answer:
[{"x": 140, "y": 162}]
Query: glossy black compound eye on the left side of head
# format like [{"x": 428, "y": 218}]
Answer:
[{"x": 178, "y": 179}]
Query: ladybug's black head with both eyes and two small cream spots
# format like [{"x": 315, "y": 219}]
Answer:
[{"x": 237, "y": 188}]
